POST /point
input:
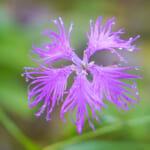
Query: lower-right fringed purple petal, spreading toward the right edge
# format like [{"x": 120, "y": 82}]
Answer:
[{"x": 106, "y": 80}]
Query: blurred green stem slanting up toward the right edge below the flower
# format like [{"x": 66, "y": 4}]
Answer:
[{"x": 104, "y": 130}]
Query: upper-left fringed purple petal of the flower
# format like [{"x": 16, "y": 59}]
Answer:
[{"x": 59, "y": 48}]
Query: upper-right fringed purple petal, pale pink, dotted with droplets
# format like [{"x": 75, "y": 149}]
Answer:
[{"x": 102, "y": 38}]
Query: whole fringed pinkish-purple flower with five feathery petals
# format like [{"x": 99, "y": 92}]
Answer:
[{"x": 49, "y": 84}]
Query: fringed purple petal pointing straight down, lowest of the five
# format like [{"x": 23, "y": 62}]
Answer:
[{"x": 80, "y": 96}]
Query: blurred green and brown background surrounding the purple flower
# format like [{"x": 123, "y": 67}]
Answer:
[{"x": 21, "y": 22}]
